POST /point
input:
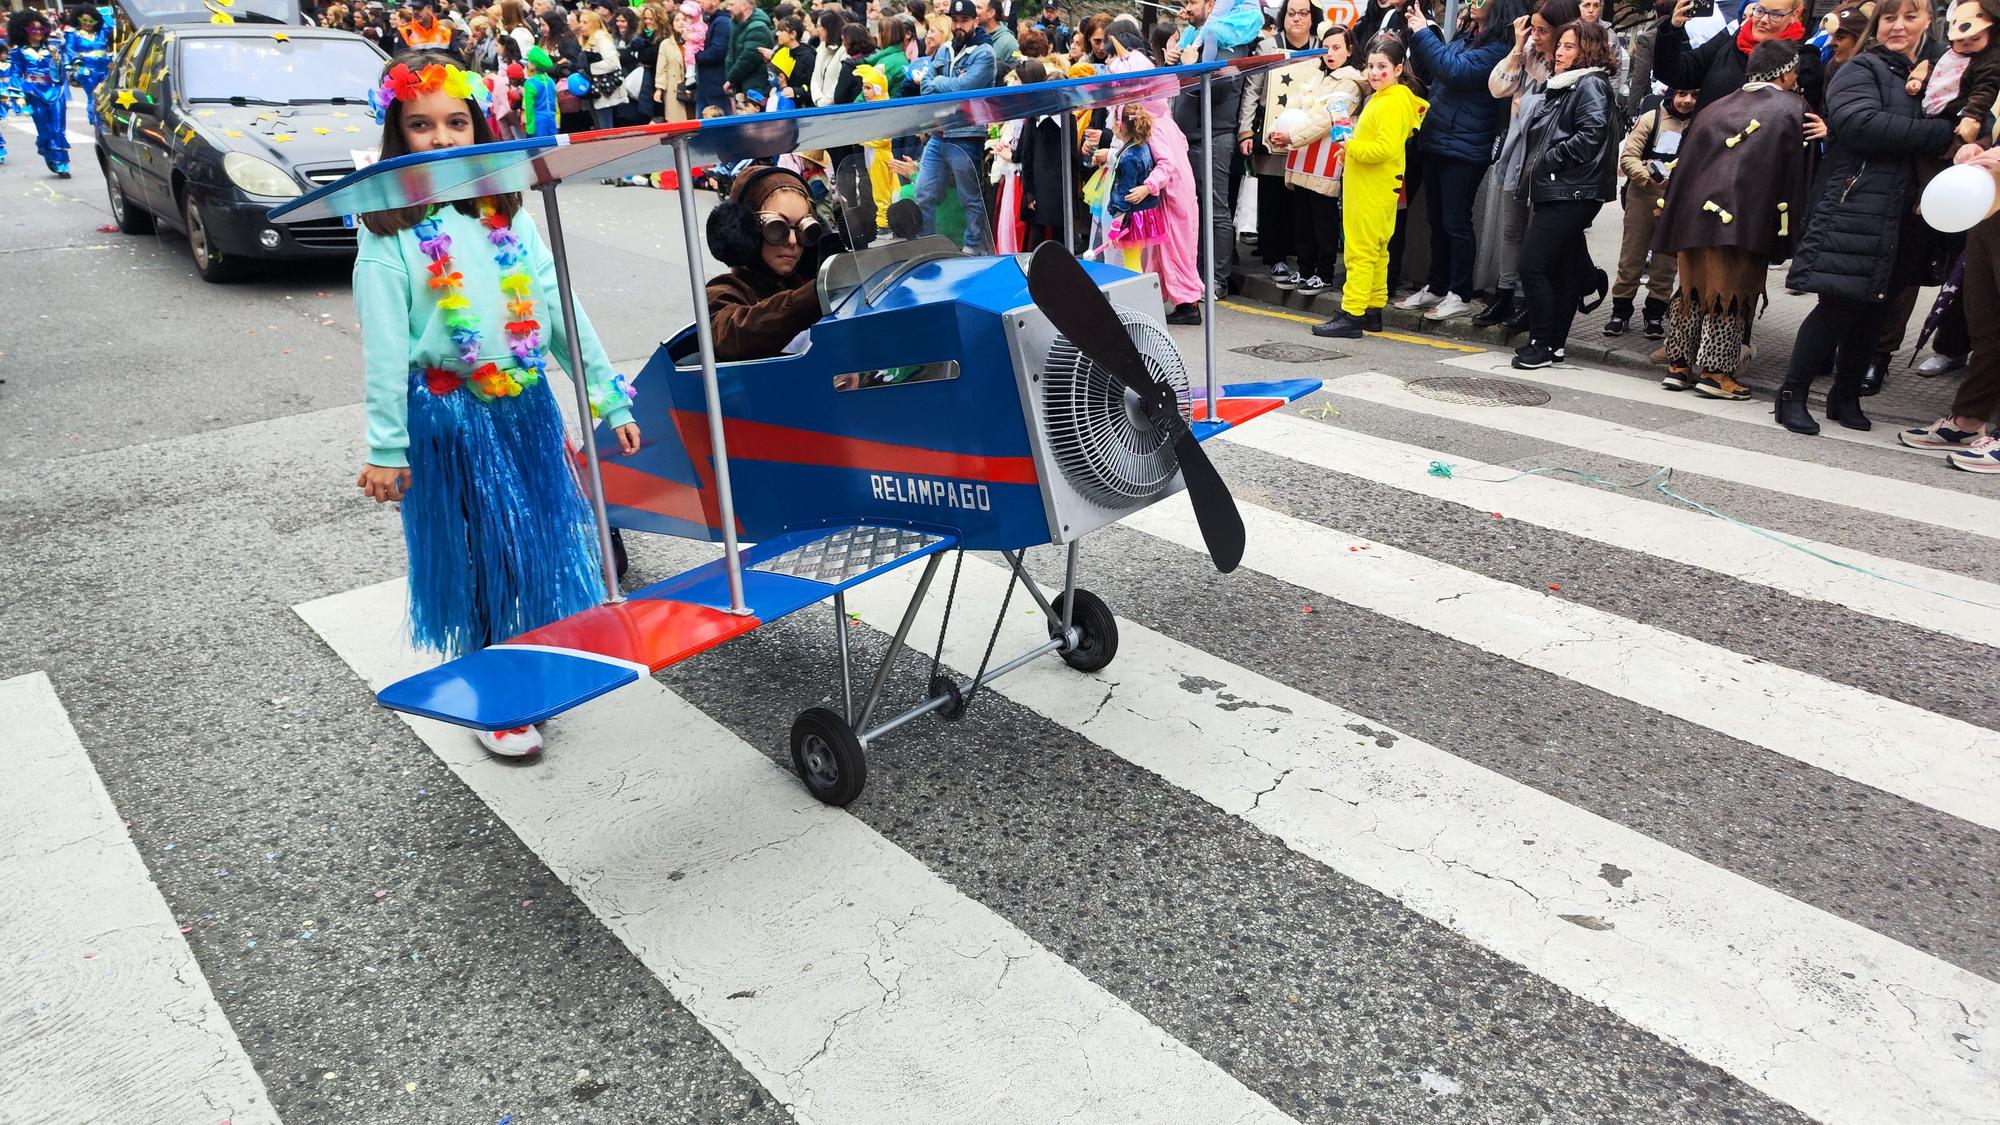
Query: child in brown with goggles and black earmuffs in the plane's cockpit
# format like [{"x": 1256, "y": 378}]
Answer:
[{"x": 771, "y": 241}]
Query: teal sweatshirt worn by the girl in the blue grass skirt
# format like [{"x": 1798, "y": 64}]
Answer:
[{"x": 403, "y": 327}]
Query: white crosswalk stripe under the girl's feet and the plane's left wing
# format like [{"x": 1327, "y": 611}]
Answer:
[{"x": 823, "y": 956}]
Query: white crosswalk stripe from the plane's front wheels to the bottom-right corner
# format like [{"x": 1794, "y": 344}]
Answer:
[{"x": 1681, "y": 948}]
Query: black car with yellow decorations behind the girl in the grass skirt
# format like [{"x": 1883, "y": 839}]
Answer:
[{"x": 207, "y": 127}]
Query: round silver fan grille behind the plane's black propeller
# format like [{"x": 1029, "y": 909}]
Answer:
[{"x": 1103, "y": 443}]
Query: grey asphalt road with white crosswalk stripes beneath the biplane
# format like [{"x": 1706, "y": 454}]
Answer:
[{"x": 1461, "y": 802}]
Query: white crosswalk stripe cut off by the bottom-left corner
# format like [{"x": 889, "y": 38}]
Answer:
[{"x": 107, "y": 1014}]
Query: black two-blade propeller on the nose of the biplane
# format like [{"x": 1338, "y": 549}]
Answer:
[{"x": 1081, "y": 311}]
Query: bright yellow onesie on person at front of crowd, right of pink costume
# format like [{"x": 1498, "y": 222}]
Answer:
[{"x": 1373, "y": 179}]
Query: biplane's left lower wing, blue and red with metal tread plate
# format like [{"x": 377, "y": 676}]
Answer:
[{"x": 581, "y": 658}]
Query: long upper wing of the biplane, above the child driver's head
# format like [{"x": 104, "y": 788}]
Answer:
[{"x": 603, "y": 155}]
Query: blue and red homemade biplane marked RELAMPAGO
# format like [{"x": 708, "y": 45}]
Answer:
[{"x": 943, "y": 401}]
